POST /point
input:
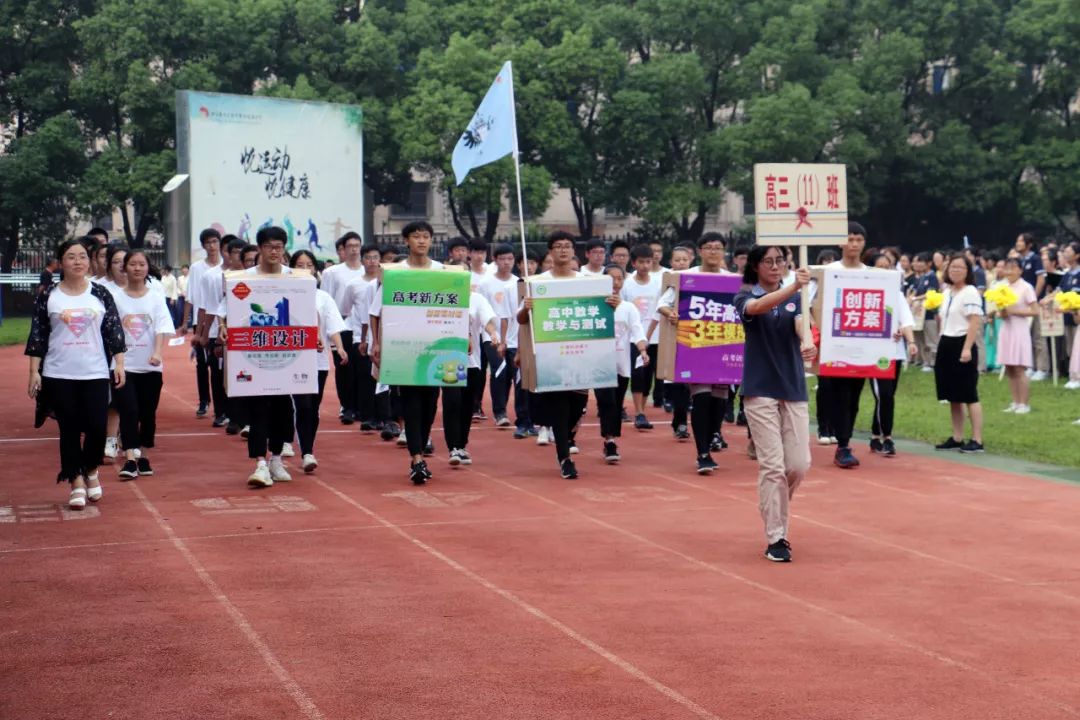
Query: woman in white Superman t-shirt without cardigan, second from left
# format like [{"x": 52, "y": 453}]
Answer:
[{"x": 147, "y": 322}]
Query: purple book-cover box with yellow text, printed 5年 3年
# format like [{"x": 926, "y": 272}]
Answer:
[{"x": 707, "y": 346}]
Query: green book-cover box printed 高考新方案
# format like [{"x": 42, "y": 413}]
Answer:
[{"x": 425, "y": 328}]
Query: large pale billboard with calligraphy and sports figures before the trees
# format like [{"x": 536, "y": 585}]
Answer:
[{"x": 261, "y": 161}]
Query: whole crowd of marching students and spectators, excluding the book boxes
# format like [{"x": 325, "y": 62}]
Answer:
[{"x": 97, "y": 345}]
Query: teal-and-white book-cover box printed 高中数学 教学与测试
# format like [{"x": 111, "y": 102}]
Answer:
[{"x": 571, "y": 339}]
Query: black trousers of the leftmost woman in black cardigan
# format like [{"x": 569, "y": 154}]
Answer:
[{"x": 82, "y": 407}]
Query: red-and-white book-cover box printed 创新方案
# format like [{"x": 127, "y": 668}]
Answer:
[{"x": 858, "y": 322}]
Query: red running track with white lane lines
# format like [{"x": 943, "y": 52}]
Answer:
[{"x": 921, "y": 589}]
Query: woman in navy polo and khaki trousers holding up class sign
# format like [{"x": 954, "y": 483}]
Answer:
[{"x": 775, "y": 388}]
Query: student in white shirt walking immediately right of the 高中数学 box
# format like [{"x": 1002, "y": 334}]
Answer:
[{"x": 628, "y": 332}]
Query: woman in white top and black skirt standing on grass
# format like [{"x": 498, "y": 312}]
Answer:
[{"x": 956, "y": 370}]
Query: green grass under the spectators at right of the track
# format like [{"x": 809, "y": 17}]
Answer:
[{"x": 1046, "y": 436}]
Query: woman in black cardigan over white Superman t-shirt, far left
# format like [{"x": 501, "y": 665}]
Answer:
[{"x": 75, "y": 334}]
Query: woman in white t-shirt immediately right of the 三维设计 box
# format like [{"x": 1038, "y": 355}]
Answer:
[{"x": 331, "y": 327}]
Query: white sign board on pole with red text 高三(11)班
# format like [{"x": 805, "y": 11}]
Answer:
[{"x": 800, "y": 205}]
